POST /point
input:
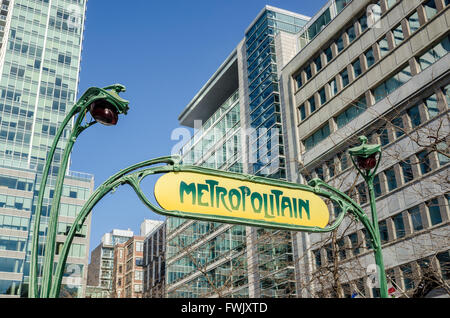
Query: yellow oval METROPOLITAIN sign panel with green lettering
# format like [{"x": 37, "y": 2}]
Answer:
[{"x": 230, "y": 200}]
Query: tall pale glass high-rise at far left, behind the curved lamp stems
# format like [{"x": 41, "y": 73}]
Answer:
[{"x": 39, "y": 72}]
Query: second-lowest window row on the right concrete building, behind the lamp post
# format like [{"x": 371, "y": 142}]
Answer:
[{"x": 415, "y": 219}]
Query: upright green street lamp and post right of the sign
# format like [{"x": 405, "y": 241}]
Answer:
[{"x": 366, "y": 158}]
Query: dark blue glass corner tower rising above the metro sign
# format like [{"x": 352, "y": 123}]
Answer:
[{"x": 264, "y": 93}]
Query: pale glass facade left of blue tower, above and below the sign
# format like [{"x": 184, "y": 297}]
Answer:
[{"x": 216, "y": 265}]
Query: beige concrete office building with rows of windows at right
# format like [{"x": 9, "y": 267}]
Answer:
[{"x": 388, "y": 79}]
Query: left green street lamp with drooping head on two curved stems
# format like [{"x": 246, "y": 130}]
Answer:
[{"x": 105, "y": 105}]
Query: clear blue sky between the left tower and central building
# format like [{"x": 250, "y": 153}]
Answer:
[{"x": 163, "y": 52}]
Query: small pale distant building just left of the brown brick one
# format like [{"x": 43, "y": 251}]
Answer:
[{"x": 101, "y": 266}]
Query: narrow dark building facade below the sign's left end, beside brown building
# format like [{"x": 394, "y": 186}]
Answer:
[{"x": 154, "y": 263}]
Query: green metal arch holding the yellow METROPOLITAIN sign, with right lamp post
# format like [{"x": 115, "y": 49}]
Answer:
[{"x": 204, "y": 194}]
